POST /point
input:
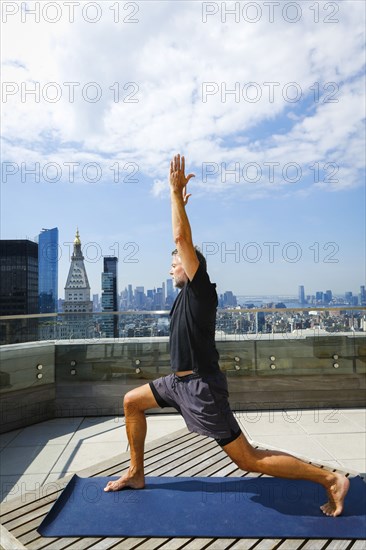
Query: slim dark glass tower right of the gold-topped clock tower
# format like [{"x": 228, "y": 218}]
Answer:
[{"x": 110, "y": 296}]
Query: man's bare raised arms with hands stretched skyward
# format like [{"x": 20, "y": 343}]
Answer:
[{"x": 182, "y": 234}]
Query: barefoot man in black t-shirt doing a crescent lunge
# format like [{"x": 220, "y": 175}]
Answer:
[{"x": 197, "y": 388}]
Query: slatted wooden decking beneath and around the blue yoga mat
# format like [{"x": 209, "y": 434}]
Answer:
[{"x": 181, "y": 454}]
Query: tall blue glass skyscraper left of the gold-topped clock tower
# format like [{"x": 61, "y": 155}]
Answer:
[{"x": 48, "y": 270}]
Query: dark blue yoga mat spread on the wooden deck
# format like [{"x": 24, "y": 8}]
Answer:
[{"x": 204, "y": 507}]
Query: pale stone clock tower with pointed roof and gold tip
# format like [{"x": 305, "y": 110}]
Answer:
[{"x": 77, "y": 296}]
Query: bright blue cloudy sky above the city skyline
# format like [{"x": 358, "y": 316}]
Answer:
[{"x": 279, "y": 104}]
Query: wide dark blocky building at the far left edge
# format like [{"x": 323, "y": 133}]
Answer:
[{"x": 18, "y": 289}]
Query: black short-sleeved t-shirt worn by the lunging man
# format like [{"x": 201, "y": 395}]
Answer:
[{"x": 192, "y": 327}]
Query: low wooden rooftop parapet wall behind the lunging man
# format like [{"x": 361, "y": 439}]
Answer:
[{"x": 58, "y": 379}]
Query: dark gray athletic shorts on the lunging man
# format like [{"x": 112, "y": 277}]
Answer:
[{"x": 202, "y": 401}]
